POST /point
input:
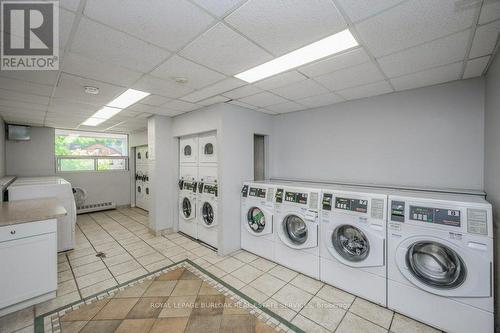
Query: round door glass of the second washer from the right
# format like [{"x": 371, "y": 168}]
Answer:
[{"x": 351, "y": 243}]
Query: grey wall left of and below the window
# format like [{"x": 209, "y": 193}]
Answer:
[{"x": 37, "y": 158}]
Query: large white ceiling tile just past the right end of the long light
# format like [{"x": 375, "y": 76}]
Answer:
[{"x": 412, "y": 23}]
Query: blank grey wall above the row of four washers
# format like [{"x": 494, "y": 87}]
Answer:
[{"x": 430, "y": 137}]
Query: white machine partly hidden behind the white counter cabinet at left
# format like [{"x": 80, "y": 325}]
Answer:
[{"x": 50, "y": 187}]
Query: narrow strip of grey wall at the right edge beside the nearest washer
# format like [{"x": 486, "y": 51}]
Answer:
[{"x": 492, "y": 161}]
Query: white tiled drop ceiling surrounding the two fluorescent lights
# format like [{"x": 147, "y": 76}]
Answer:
[{"x": 150, "y": 45}]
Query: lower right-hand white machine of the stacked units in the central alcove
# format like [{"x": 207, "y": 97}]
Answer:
[{"x": 207, "y": 213}]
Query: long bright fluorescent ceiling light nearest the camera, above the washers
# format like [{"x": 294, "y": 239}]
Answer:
[{"x": 327, "y": 46}]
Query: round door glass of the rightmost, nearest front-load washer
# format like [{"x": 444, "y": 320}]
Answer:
[{"x": 436, "y": 265}]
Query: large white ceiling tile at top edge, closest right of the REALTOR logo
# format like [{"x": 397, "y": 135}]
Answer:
[{"x": 167, "y": 23}]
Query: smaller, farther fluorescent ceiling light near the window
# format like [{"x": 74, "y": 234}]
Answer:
[{"x": 123, "y": 101}]
